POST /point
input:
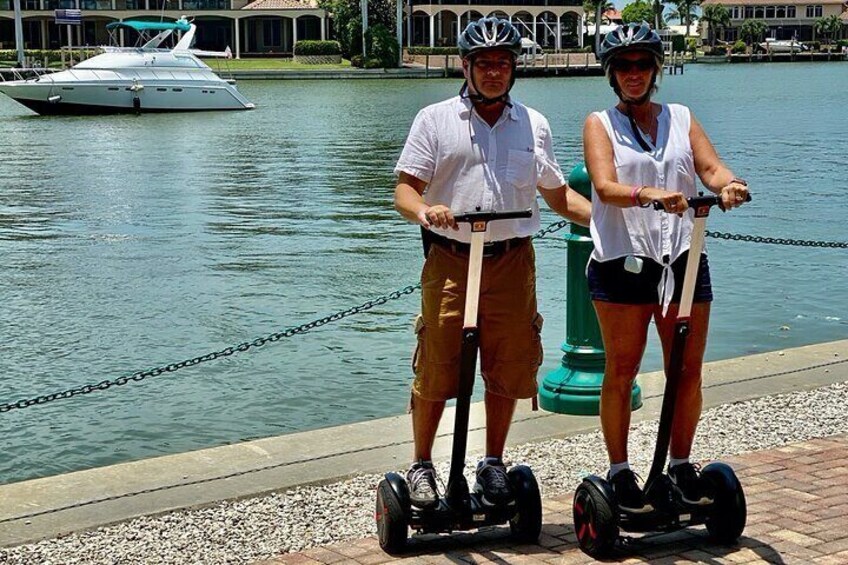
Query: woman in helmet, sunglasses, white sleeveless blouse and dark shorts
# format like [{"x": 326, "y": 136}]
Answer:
[{"x": 639, "y": 152}]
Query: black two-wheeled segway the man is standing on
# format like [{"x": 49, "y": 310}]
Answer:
[{"x": 460, "y": 509}]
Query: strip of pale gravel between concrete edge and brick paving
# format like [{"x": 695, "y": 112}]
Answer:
[{"x": 259, "y": 528}]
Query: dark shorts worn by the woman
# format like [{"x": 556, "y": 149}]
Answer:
[{"x": 610, "y": 282}]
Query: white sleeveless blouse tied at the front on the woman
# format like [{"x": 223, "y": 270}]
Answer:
[{"x": 645, "y": 232}]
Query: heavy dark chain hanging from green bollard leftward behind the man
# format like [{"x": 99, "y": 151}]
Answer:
[{"x": 240, "y": 348}]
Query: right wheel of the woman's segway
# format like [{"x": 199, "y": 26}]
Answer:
[{"x": 728, "y": 514}]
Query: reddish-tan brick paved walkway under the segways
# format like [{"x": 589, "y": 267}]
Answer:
[{"x": 797, "y": 513}]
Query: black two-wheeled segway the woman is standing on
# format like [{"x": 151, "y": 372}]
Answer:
[{"x": 597, "y": 517}]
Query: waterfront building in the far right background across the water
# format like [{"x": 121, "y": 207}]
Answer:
[{"x": 786, "y": 19}]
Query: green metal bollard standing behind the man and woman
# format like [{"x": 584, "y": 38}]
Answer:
[{"x": 575, "y": 388}]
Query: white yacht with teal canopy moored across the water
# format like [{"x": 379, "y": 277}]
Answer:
[{"x": 147, "y": 78}]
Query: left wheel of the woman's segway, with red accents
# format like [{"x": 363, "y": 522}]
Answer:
[{"x": 595, "y": 521}]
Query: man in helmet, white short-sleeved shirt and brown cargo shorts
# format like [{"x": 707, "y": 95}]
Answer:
[{"x": 481, "y": 150}]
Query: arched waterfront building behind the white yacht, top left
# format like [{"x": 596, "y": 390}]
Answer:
[{"x": 250, "y": 28}]
